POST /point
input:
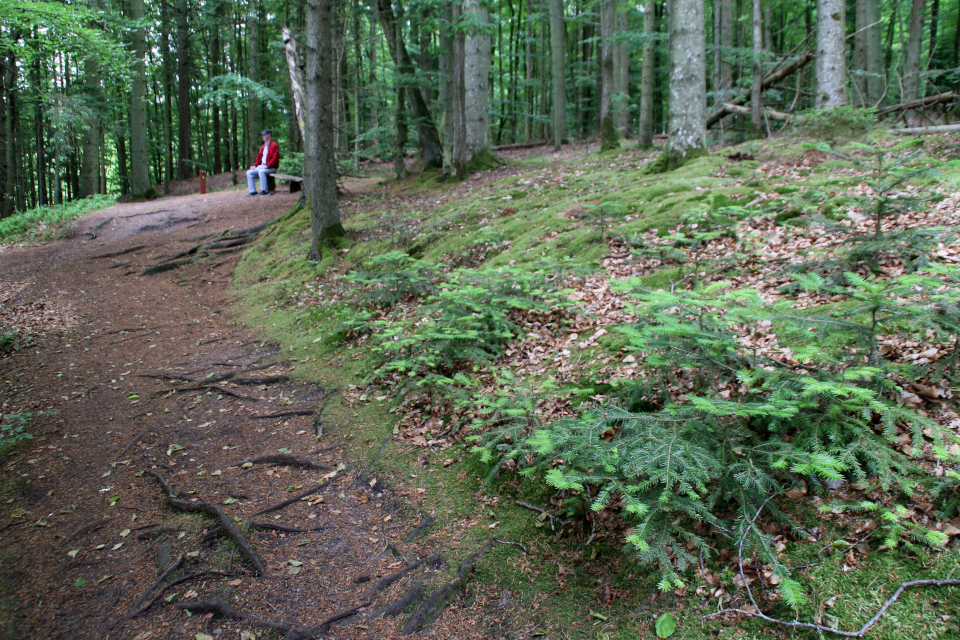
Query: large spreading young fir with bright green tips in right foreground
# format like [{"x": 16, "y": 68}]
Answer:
[{"x": 734, "y": 424}]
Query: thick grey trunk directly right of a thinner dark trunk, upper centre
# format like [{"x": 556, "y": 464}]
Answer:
[{"x": 476, "y": 80}]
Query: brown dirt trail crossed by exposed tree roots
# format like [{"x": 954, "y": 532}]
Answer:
[{"x": 113, "y": 367}]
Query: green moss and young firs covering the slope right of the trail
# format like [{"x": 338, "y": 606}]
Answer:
[{"x": 426, "y": 308}]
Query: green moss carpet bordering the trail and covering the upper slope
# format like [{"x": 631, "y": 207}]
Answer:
[{"x": 557, "y": 207}]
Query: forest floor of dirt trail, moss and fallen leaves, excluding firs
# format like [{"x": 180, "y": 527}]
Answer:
[{"x": 175, "y": 373}]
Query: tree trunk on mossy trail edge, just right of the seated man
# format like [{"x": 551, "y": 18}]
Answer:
[{"x": 320, "y": 163}]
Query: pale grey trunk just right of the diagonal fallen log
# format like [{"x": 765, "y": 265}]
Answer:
[{"x": 830, "y": 64}]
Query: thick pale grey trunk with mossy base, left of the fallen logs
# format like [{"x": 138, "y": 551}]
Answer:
[{"x": 686, "y": 124}]
